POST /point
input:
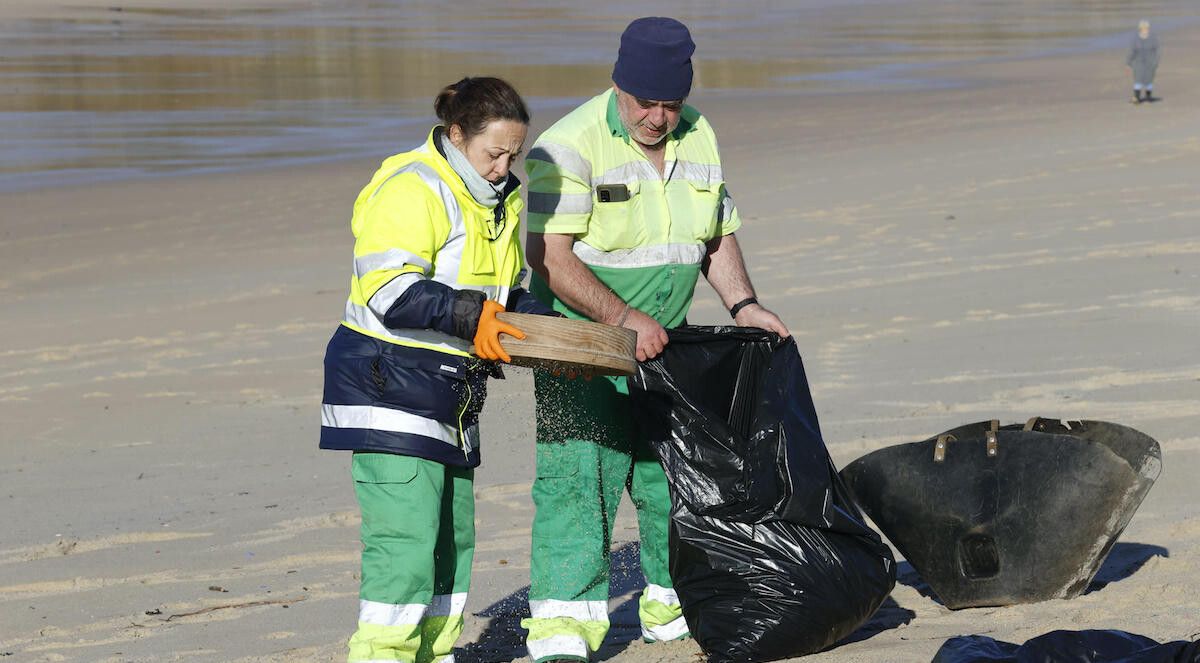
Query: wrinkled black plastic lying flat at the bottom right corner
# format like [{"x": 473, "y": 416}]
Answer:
[{"x": 1069, "y": 647}]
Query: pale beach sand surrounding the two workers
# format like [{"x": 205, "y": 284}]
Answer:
[{"x": 1024, "y": 246}]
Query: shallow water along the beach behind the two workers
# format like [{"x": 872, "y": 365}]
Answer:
[{"x": 122, "y": 93}]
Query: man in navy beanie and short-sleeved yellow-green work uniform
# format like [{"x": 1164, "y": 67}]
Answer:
[{"x": 628, "y": 207}]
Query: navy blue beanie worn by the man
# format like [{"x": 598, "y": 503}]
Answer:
[{"x": 655, "y": 61}]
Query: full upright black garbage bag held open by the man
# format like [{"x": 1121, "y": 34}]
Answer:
[{"x": 770, "y": 557}]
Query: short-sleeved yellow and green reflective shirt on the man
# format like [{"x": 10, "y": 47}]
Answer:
[{"x": 647, "y": 249}]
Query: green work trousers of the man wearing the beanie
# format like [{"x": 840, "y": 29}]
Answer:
[{"x": 589, "y": 455}]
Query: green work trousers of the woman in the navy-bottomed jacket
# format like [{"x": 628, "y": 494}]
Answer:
[{"x": 418, "y": 542}]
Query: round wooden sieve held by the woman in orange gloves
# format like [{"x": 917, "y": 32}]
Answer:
[{"x": 555, "y": 343}]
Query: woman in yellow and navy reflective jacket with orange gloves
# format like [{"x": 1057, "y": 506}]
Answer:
[{"x": 436, "y": 256}]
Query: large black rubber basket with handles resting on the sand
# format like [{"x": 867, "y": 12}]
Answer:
[{"x": 998, "y": 516}]
